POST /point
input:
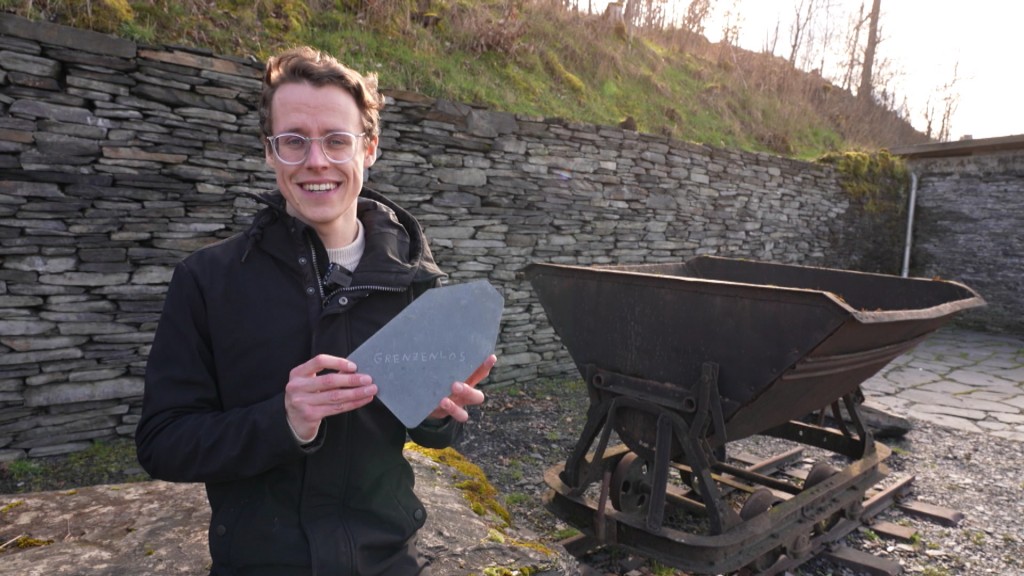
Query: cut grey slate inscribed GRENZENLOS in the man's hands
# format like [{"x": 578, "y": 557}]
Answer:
[{"x": 439, "y": 340}]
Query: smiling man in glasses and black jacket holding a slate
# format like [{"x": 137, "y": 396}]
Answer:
[{"x": 248, "y": 388}]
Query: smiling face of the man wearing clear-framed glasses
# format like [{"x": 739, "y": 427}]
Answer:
[{"x": 320, "y": 192}]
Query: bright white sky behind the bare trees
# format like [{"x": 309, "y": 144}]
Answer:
[{"x": 924, "y": 39}]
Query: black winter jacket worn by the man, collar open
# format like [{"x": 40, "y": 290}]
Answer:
[{"x": 239, "y": 316}]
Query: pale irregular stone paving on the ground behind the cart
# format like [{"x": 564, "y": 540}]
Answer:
[{"x": 968, "y": 381}]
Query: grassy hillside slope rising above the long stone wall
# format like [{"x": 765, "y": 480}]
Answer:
[{"x": 528, "y": 57}]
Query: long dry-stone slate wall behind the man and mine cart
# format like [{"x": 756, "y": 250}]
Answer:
[{"x": 117, "y": 160}]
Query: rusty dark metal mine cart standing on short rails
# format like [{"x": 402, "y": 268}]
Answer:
[{"x": 681, "y": 359}]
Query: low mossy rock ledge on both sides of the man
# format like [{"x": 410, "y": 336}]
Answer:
[{"x": 159, "y": 528}]
